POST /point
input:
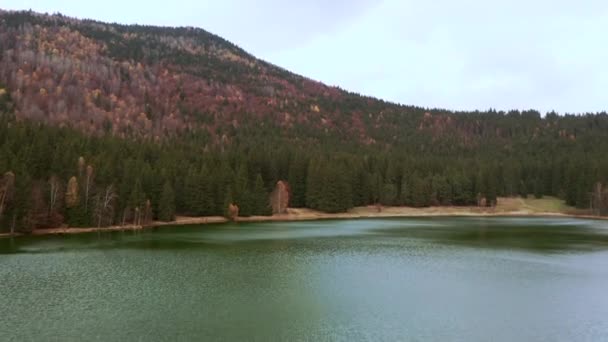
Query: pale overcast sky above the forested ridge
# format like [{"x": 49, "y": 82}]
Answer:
[{"x": 460, "y": 55}]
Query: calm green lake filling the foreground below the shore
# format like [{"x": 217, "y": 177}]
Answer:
[{"x": 425, "y": 279}]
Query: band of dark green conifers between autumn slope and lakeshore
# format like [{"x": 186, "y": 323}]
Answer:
[{"x": 53, "y": 176}]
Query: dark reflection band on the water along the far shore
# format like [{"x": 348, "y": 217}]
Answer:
[{"x": 533, "y": 234}]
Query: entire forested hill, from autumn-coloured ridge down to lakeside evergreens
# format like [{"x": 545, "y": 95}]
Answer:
[{"x": 106, "y": 123}]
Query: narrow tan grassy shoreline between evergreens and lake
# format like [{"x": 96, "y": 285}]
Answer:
[{"x": 508, "y": 208}]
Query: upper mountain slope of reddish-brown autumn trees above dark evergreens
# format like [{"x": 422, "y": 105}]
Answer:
[{"x": 147, "y": 81}]
